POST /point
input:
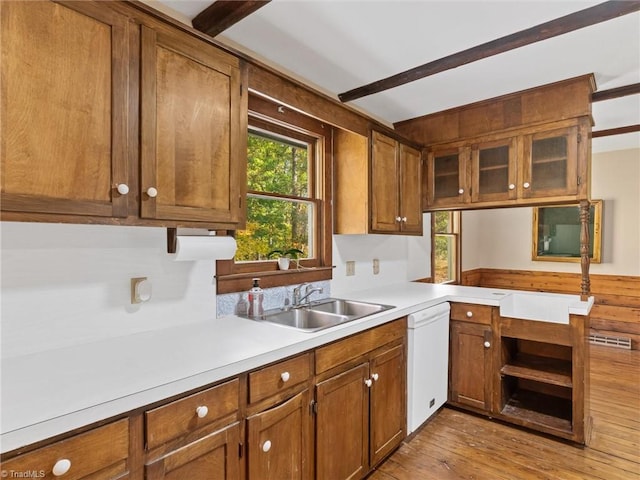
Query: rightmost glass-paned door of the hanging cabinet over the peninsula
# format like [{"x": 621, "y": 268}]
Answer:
[{"x": 550, "y": 164}]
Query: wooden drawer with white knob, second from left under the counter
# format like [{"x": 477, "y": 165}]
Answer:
[{"x": 183, "y": 416}]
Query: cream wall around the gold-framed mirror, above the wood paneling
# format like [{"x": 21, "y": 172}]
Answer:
[{"x": 502, "y": 238}]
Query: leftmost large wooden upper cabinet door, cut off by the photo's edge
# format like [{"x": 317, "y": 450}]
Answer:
[{"x": 63, "y": 108}]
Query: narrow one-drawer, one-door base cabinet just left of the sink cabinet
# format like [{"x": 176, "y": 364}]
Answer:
[{"x": 279, "y": 423}]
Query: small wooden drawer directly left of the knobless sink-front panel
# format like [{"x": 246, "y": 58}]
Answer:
[{"x": 281, "y": 376}]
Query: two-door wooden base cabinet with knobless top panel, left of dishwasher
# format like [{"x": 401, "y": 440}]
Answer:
[{"x": 361, "y": 401}]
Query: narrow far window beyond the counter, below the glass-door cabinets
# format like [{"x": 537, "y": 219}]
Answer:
[{"x": 445, "y": 239}]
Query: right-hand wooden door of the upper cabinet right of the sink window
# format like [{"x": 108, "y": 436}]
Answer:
[{"x": 410, "y": 161}]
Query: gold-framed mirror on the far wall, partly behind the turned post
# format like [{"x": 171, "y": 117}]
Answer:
[{"x": 556, "y": 233}]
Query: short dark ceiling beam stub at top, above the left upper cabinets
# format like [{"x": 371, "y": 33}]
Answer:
[{"x": 221, "y": 14}]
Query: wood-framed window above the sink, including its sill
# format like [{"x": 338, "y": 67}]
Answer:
[{"x": 288, "y": 200}]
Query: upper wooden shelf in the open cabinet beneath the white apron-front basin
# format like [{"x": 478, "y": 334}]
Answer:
[{"x": 541, "y": 369}]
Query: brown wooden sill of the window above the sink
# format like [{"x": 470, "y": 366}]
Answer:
[{"x": 241, "y": 282}]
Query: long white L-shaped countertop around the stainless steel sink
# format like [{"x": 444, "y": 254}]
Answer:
[{"x": 49, "y": 393}]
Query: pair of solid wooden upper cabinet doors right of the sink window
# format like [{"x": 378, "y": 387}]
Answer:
[{"x": 396, "y": 187}]
